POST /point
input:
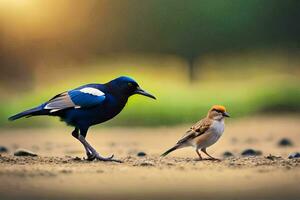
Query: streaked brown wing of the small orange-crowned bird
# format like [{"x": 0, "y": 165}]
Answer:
[{"x": 198, "y": 129}]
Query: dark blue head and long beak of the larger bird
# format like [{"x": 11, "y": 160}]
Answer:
[{"x": 127, "y": 87}]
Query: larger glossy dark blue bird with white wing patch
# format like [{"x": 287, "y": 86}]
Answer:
[{"x": 88, "y": 105}]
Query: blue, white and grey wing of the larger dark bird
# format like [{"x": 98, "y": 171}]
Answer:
[{"x": 79, "y": 98}]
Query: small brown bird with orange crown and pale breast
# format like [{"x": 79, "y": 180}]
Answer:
[{"x": 204, "y": 133}]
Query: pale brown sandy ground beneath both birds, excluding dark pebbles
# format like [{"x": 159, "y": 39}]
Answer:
[{"x": 61, "y": 172}]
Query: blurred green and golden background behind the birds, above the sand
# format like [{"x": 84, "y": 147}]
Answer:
[{"x": 190, "y": 54}]
